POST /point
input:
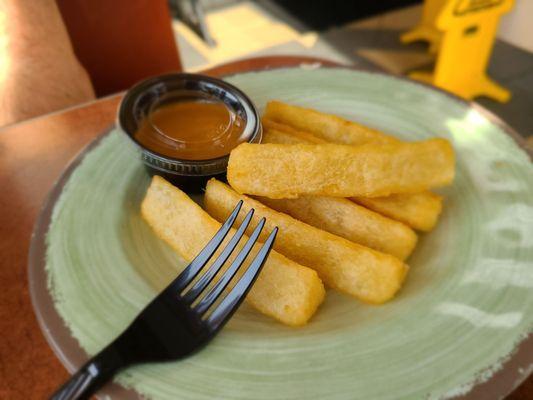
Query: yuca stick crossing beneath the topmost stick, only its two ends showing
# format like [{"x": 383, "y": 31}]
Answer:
[{"x": 420, "y": 211}]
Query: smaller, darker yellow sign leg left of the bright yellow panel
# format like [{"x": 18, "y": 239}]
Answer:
[{"x": 427, "y": 30}]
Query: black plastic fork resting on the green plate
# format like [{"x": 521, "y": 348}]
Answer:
[{"x": 175, "y": 324}]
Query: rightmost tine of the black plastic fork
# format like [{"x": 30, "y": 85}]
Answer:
[{"x": 231, "y": 302}]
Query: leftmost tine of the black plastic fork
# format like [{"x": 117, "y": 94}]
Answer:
[{"x": 207, "y": 252}]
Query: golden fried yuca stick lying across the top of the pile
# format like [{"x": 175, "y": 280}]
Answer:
[{"x": 287, "y": 171}]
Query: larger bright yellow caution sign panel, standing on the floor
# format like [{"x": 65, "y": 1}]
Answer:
[{"x": 469, "y": 28}]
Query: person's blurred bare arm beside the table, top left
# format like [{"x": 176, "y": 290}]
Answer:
[{"x": 39, "y": 71}]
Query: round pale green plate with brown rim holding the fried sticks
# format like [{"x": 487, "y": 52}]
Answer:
[{"x": 458, "y": 321}]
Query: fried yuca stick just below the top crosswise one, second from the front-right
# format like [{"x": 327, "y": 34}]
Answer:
[{"x": 350, "y": 221}]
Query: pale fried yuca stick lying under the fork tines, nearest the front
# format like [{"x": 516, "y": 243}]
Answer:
[{"x": 284, "y": 290}]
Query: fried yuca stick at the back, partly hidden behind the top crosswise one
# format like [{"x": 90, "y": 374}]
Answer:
[{"x": 326, "y": 126}]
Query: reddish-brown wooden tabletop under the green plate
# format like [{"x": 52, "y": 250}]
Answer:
[{"x": 32, "y": 156}]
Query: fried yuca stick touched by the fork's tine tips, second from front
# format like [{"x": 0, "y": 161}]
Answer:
[{"x": 367, "y": 274}]
